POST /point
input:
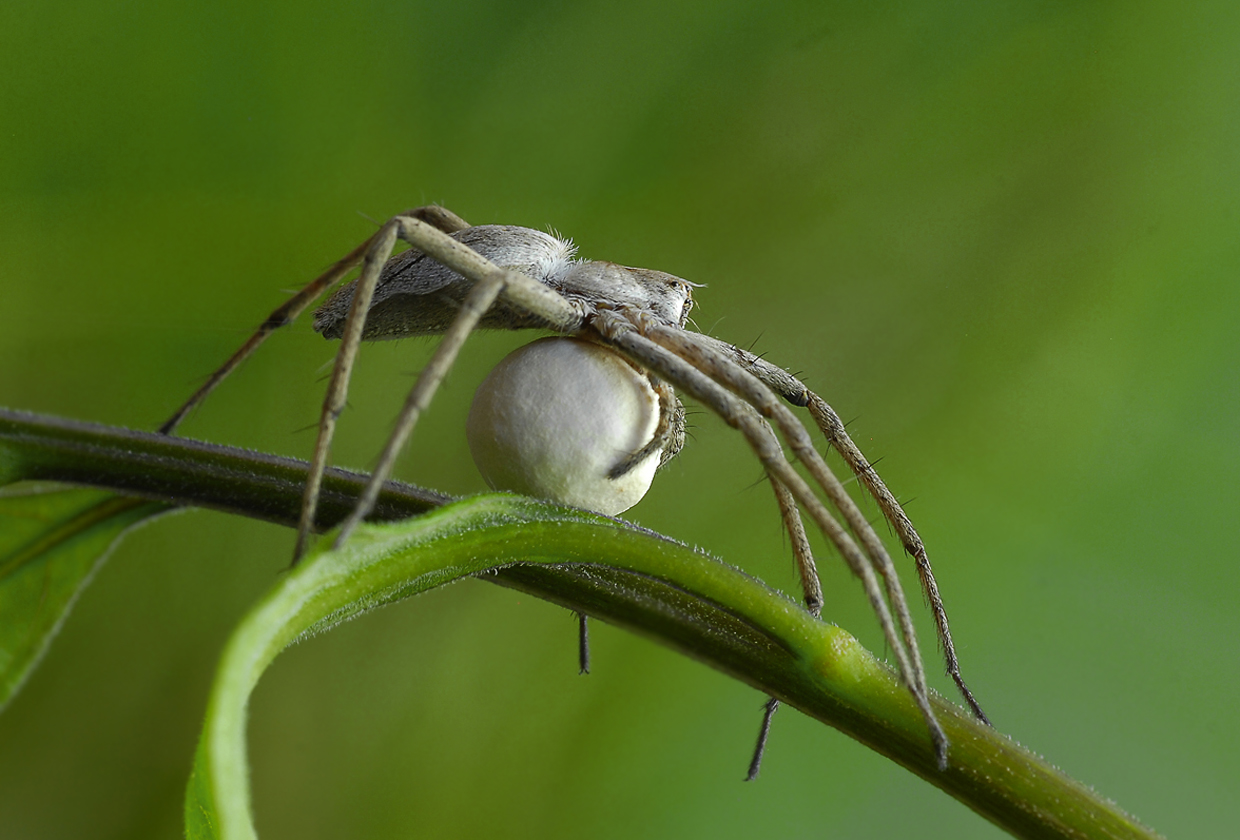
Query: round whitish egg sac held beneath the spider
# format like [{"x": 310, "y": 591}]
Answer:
[{"x": 556, "y": 416}]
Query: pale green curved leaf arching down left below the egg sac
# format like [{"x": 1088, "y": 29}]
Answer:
[{"x": 383, "y": 564}]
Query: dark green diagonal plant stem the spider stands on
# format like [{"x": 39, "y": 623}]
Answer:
[{"x": 624, "y": 575}]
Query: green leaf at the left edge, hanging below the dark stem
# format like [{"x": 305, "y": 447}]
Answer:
[{"x": 50, "y": 547}]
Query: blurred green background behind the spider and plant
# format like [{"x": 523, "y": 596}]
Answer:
[{"x": 1001, "y": 239}]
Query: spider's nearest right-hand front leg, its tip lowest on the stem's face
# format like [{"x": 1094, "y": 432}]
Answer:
[{"x": 624, "y": 334}]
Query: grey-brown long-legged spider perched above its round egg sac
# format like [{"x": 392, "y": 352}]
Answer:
[{"x": 457, "y": 279}]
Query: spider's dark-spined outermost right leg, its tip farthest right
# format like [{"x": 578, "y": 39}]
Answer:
[{"x": 795, "y": 393}]
